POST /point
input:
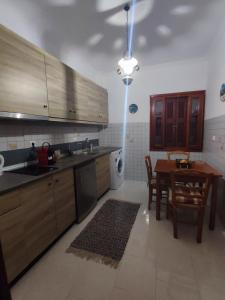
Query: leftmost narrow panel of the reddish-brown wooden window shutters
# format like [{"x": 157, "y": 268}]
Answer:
[{"x": 157, "y": 120}]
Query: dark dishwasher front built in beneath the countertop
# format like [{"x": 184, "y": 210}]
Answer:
[{"x": 86, "y": 190}]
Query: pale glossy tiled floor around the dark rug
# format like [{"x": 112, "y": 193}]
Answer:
[{"x": 154, "y": 266}]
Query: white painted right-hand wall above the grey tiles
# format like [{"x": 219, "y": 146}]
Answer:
[{"x": 216, "y": 76}]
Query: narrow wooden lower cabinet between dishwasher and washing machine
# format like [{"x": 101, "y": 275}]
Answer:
[{"x": 102, "y": 174}]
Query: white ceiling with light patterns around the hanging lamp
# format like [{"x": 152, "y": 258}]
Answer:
[{"x": 164, "y": 31}]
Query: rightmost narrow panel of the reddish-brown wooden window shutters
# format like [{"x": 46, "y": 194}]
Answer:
[{"x": 196, "y": 121}]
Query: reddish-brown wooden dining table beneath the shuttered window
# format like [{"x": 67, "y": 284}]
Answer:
[{"x": 163, "y": 169}]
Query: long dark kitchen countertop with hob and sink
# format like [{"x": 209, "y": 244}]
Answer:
[{"x": 12, "y": 181}]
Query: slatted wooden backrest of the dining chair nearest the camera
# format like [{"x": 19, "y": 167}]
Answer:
[{"x": 190, "y": 187}]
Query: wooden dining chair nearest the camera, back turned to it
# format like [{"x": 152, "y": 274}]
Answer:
[{"x": 189, "y": 191}]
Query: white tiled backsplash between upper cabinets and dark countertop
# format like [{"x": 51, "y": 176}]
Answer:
[{"x": 18, "y": 135}]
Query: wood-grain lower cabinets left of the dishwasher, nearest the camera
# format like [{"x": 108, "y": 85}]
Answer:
[{"x": 33, "y": 217}]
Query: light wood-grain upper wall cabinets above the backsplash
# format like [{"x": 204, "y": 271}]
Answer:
[{"x": 37, "y": 84}]
